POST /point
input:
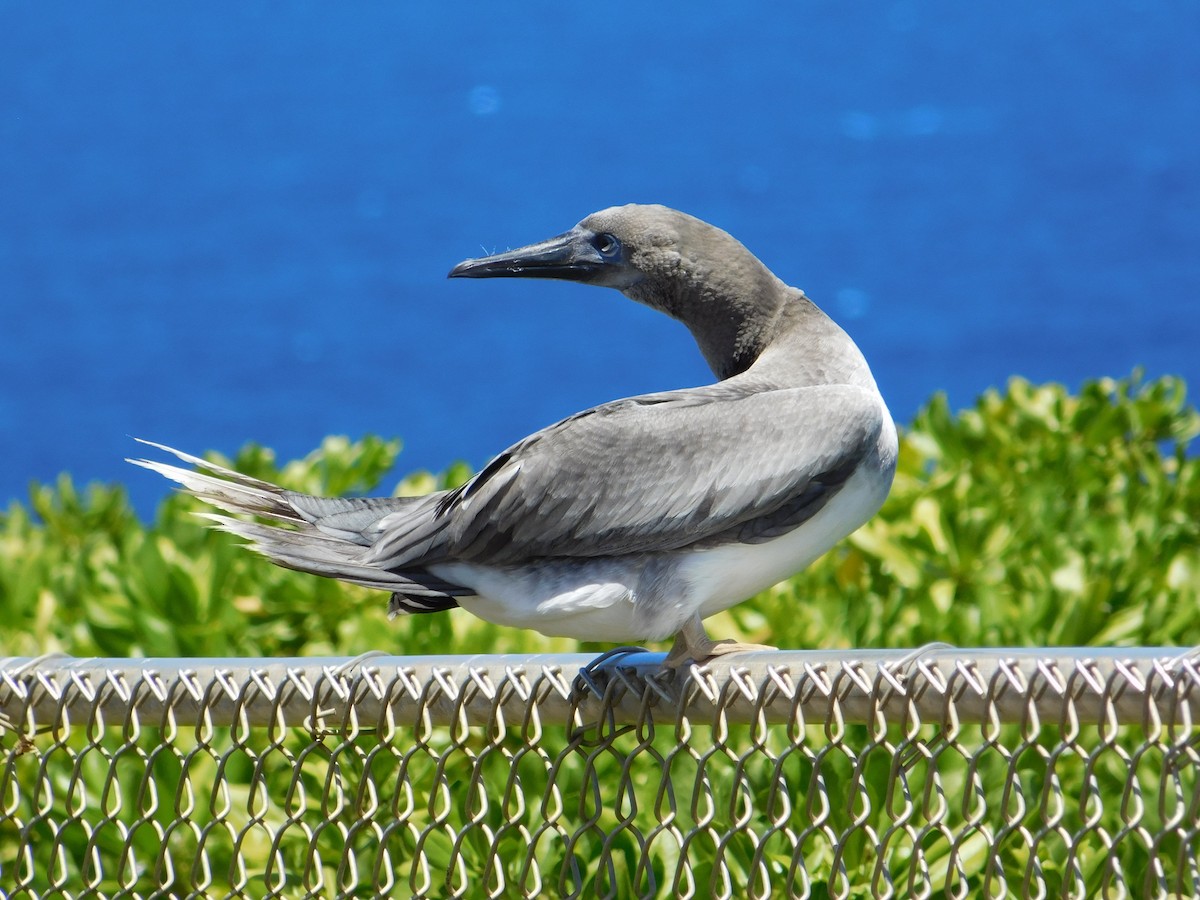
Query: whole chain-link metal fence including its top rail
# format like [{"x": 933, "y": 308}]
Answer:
[{"x": 937, "y": 772}]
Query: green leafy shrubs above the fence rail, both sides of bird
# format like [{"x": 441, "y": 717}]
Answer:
[{"x": 1035, "y": 518}]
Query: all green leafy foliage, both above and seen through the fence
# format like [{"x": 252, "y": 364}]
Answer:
[{"x": 1036, "y": 518}]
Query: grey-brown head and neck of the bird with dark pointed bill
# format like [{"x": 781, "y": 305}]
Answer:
[{"x": 667, "y": 260}]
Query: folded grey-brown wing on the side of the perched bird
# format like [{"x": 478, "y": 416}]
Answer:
[{"x": 695, "y": 467}]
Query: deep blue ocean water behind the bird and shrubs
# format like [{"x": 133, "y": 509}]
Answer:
[{"x": 230, "y": 223}]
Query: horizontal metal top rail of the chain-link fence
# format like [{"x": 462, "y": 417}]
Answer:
[{"x": 938, "y": 685}]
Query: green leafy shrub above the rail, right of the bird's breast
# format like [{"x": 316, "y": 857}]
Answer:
[{"x": 1035, "y": 519}]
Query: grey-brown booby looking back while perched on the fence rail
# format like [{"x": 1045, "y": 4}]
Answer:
[{"x": 640, "y": 518}]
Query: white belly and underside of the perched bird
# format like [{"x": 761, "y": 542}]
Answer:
[{"x": 598, "y": 599}]
